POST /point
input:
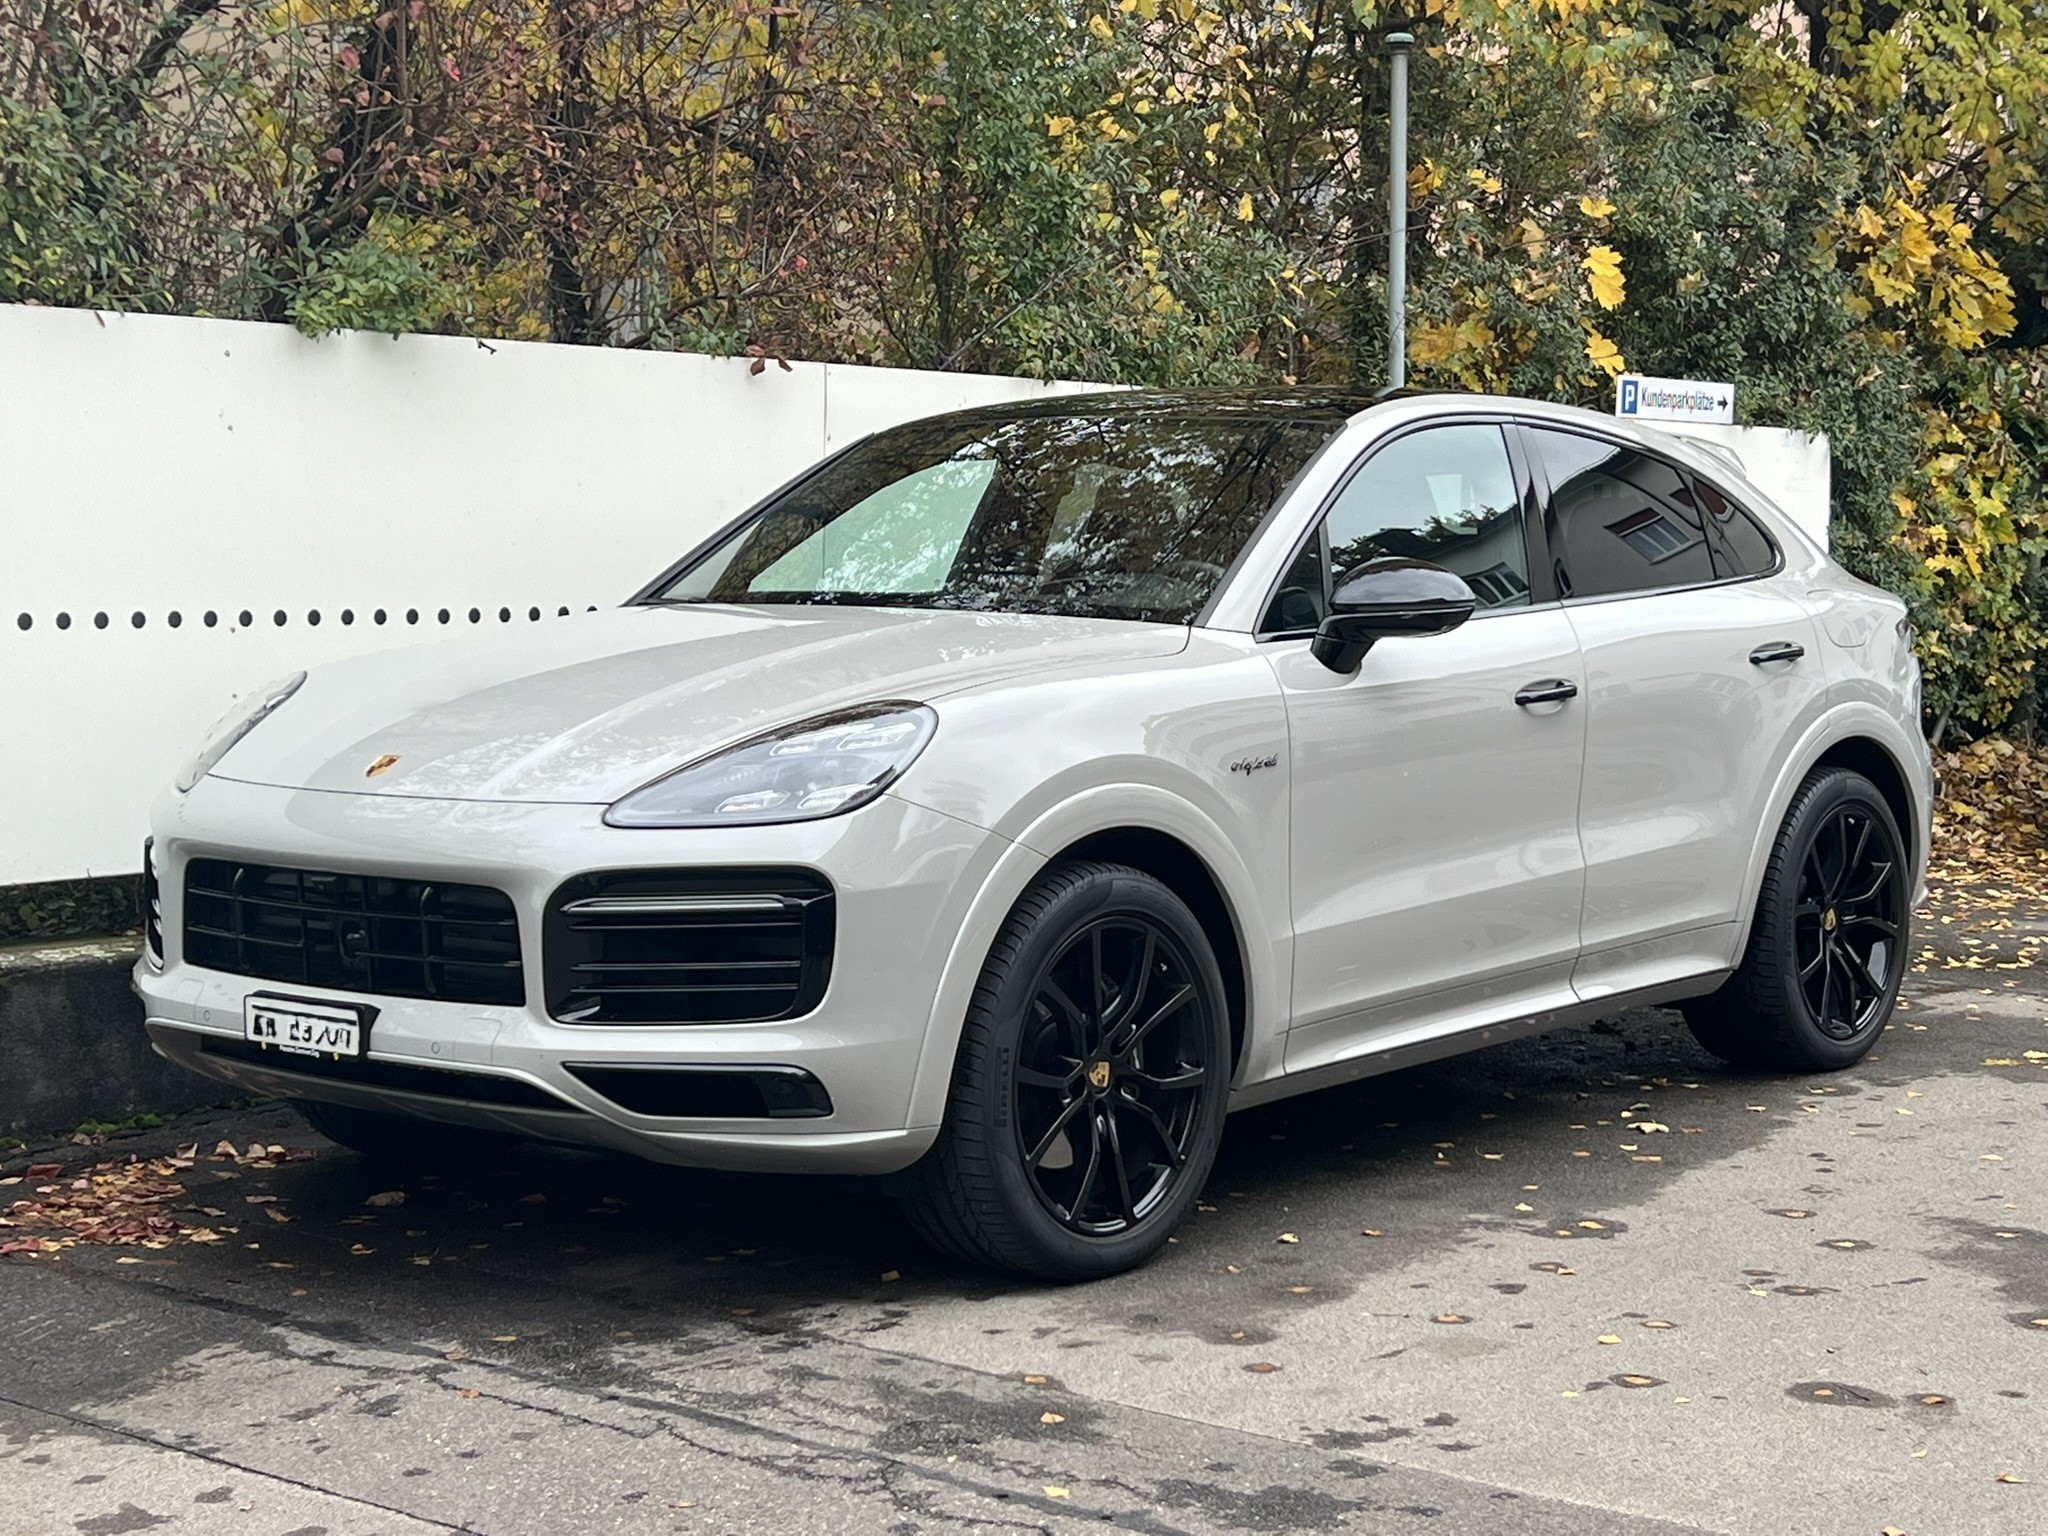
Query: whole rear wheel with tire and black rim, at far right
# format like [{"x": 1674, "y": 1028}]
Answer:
[{"x": 1828, "y": 947}]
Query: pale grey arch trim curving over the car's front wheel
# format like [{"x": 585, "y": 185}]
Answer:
[{"x": 1164, "y": 837}]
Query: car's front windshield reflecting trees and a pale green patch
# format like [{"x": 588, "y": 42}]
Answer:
[{"x": 1099, "y": 517}]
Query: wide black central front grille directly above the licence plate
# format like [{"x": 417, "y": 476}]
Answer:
[{"x": 355, "y": 933}]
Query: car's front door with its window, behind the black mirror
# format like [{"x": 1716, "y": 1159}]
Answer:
[{"x": 1437, "y": 871}]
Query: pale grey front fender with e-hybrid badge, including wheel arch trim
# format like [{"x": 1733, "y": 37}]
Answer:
[{"x": 1193, "y": 746}]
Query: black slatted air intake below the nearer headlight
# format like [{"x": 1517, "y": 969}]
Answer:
[{"x": 689, "y": 947}]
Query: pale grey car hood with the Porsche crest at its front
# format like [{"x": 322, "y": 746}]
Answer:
[{"x": 593, "y": 708}]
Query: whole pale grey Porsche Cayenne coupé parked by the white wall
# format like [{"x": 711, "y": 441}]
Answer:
[{"x": 1015, "y": 794}]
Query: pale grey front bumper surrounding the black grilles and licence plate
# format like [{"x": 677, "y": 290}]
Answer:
[{"x": 904, "y": 878}]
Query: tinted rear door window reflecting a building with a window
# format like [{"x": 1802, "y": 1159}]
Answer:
[{"x": 1621, "y": 519}]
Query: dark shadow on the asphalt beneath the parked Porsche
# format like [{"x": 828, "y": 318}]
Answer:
[{"x": 1431, "y": 1156}]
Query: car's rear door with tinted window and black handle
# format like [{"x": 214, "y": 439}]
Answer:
[{"x": 1699, "y": 675}]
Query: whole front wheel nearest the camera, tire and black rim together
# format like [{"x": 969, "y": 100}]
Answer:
[{"x": 1078, "y": 1134}]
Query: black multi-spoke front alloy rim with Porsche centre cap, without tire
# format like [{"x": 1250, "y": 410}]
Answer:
[{"x": 1111, "y": 1074}]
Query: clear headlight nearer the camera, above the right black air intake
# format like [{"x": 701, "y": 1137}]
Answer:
[{"x": 800, "y": 773}]
